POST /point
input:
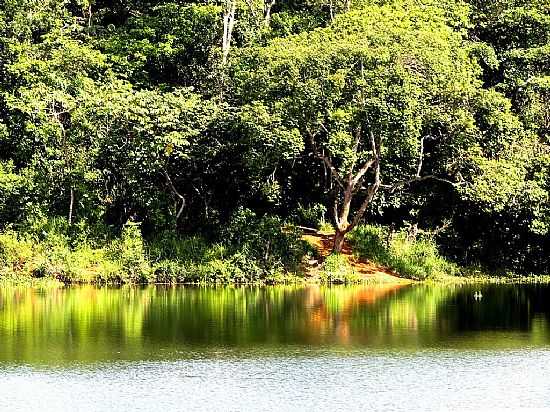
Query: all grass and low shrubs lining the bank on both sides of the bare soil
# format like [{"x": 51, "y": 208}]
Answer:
[{"x": 270, "y": 255}]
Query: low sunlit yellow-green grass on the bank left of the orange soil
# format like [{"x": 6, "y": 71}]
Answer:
[{"x": 128, "y": 259}]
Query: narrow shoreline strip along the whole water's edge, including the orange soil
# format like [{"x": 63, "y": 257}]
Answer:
[{"x": 351, "y": 269}]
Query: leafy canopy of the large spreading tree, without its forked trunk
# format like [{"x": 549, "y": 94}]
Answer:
[{"x": 395, "y": 70}]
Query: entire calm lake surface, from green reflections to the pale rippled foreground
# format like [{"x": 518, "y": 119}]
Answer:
[{"x": 414, "y": 347}]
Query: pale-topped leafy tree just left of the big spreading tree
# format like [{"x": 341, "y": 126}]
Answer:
[{"x": 148, "y": 139}]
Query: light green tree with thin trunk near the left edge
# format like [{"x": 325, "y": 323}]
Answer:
[{"x": 57, "y": 80}]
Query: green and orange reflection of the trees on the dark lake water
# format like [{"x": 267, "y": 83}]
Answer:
[{"x": 91, "y": 323}]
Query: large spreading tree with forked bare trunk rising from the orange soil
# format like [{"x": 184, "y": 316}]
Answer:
[{"x": 381, "y": 97}]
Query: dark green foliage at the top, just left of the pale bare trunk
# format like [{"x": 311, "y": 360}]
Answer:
[{"x": 169, "y": 43}]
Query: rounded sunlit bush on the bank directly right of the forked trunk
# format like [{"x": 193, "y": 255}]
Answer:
[{"x": 413, "y": 258}]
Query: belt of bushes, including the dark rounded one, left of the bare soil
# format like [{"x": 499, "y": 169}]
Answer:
[{"x": 255, "y": 249}]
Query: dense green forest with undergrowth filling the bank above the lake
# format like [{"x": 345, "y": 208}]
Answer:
[{"x": 185, "y": 141}]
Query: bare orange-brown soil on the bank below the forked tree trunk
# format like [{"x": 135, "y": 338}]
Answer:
[{"x": 363, "y": 267}]
